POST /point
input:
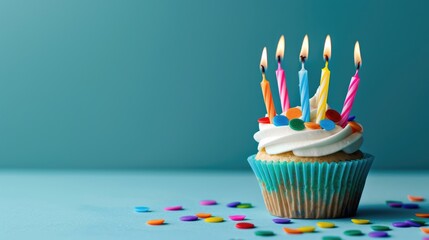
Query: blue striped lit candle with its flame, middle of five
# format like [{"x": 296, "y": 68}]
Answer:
[{"x": 303, "y": 82}]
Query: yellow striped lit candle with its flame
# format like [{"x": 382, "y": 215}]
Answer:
[{"x": 324, "y": 82}]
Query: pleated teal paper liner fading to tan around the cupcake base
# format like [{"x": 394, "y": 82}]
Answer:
[{"x": 312, "y": 189}]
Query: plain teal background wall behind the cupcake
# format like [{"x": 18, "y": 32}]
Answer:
[{"x": 156, "y": 83}]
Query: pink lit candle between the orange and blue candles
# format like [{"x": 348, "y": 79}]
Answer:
[{"x": 281, "y": 77}]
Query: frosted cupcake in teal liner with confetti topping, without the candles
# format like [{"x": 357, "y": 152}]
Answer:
[{"x": 312, "y": 169}]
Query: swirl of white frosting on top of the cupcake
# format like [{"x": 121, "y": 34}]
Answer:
[{"x": 308, "y": 142}]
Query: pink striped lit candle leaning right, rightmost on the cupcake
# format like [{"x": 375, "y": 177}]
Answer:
[{"x": 354, "y": 84}]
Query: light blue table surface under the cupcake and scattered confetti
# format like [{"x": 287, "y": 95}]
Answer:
[{"x": 100, "y": 205}]
